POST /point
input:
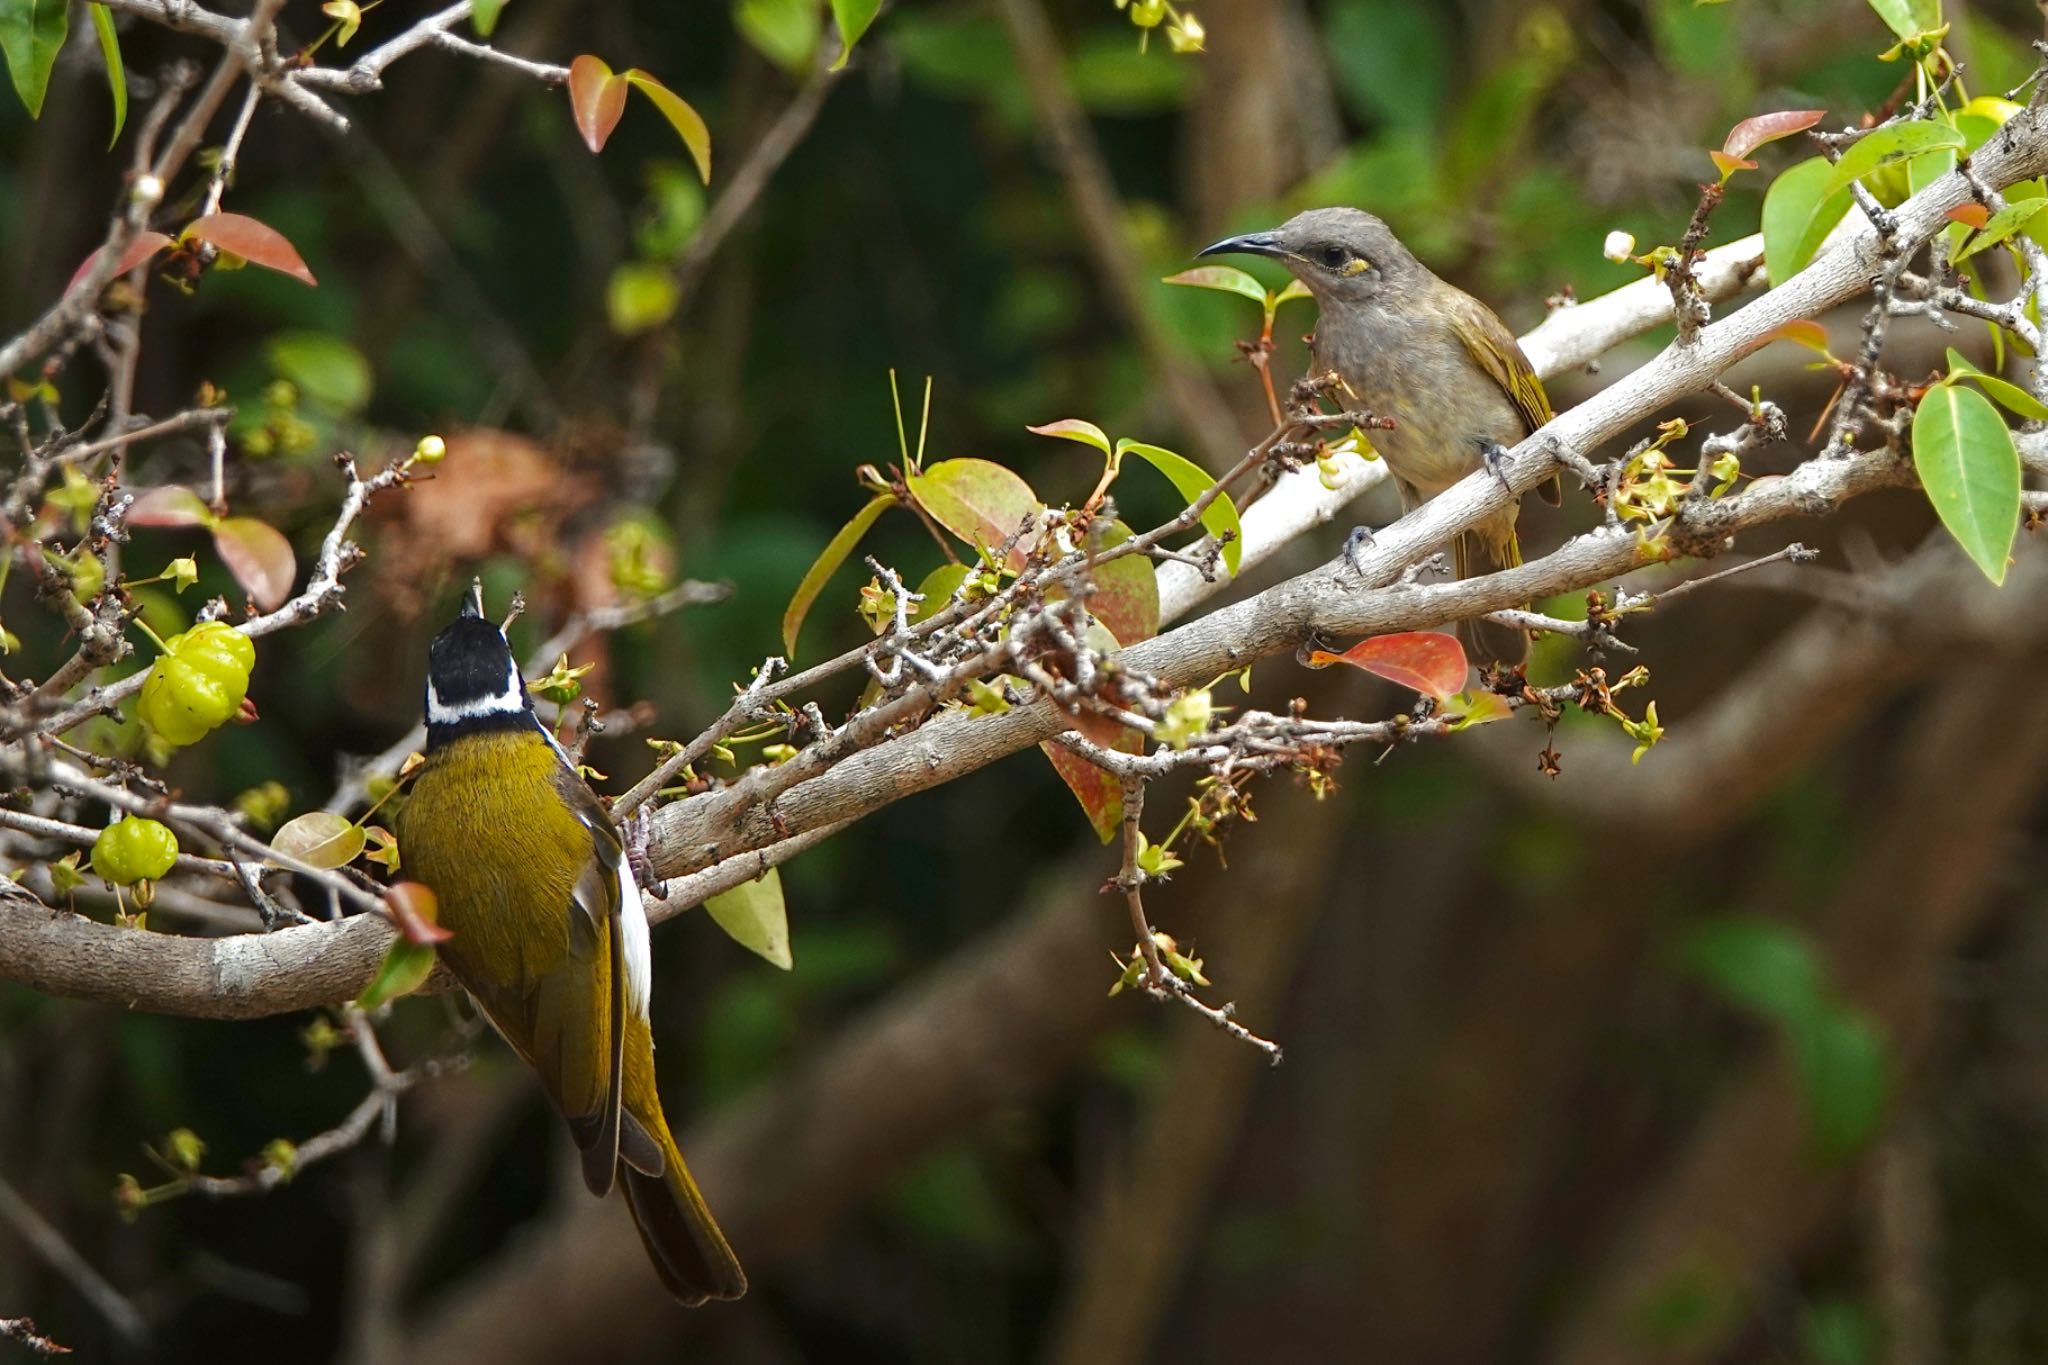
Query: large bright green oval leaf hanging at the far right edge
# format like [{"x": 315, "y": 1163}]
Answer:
[{"x": 1965, "y": 457}]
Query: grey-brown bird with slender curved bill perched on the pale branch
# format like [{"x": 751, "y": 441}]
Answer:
[{"x": 1426, "y": 355}]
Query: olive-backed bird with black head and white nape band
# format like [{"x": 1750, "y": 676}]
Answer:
[{"x": 550, "y": 936}]
